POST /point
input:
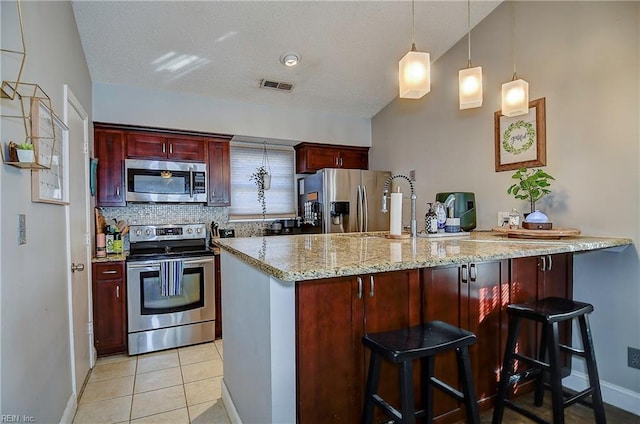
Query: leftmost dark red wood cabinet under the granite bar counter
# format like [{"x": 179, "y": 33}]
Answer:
[{"x": 332, "y": 315}]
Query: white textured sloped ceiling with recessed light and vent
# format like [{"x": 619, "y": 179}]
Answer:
[{"x": 349, "y": 49}]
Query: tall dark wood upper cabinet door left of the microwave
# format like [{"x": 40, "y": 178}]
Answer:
[{"x": 109, "y": 149}]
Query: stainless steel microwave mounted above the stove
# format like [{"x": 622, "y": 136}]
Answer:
[{"x": 165, "y": 181}]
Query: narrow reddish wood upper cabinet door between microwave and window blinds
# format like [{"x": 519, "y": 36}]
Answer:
[{"x": 219, "y": 174}]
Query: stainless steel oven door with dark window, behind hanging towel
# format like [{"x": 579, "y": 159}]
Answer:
[{"x": 149, "y": 309}]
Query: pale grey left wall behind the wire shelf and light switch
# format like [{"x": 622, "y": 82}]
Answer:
[{"x": 35, "y": 356}]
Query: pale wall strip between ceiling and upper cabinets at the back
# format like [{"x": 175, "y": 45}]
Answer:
[{"x": 139, "y": 106}]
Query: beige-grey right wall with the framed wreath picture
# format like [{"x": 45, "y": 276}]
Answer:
[{"x": 583, "y": 58}]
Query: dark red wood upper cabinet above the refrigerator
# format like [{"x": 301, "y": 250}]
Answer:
[{"x": 310, "y": 157}]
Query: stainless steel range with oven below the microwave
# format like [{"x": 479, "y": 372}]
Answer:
[{"x": 159, "y": 320}]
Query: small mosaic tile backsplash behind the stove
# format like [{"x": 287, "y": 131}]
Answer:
[{"x": 145, "y": 214}]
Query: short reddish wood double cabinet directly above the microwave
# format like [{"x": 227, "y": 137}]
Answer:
[{"x": 143, "y": 145}]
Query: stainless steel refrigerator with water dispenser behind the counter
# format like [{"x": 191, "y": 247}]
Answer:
[{"x": 342, "y": 201}]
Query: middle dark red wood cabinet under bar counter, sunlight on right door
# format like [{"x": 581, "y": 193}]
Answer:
[{"x": 467, "y": 296}]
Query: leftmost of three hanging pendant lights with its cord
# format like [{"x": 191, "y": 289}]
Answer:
[{"x": 414, "y": 69}]
